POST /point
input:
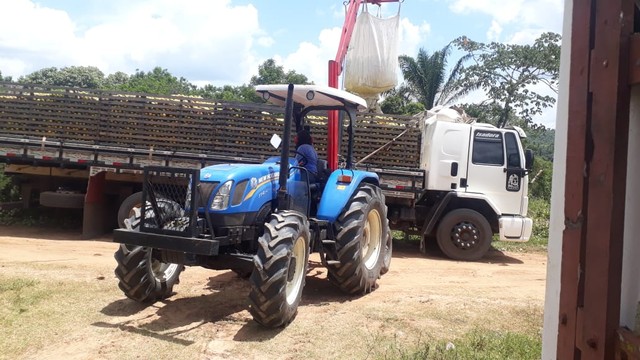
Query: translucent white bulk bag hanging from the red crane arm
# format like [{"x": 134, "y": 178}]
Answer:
[{"x": 372, "y": 57}]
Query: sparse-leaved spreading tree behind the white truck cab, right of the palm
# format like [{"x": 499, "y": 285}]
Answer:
[{"x": 508, "y": 72}]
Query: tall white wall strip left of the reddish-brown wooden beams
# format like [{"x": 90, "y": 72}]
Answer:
[{"x": 556, "y": 226}]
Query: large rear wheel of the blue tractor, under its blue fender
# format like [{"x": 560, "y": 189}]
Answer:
[{"x": 362, "y": 233}]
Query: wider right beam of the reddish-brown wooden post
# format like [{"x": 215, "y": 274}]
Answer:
[{"x": 607, "y": 177}]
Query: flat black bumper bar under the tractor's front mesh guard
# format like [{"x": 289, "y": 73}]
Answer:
[{"x": 167, "y": 242}]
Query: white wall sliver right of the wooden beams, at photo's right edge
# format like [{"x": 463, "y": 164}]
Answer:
[{"x": 631, "y": 253}]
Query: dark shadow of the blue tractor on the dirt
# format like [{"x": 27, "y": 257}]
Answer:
[{"x": 223, "y": 301}]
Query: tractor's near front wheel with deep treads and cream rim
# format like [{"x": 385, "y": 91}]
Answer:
[{"x": 280, "y": 267}]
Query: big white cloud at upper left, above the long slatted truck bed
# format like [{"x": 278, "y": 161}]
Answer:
[{"x": 198, "y": 39}]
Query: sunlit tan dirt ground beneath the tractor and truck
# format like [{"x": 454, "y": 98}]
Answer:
[{"x": 423, "y": 297}]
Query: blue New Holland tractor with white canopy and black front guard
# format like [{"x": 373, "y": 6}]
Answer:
[{"x": 261, "y": 220}]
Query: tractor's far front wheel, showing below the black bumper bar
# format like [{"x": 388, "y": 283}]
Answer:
[{"x": 142, "y": 277}]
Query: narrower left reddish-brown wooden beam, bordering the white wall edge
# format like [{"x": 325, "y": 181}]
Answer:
[{"x": 575, "y": 186}]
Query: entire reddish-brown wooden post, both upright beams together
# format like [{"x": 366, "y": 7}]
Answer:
[{"x": 595, "y": 182}]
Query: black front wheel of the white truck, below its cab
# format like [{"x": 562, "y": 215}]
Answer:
[{"x": 464, "y": 234}]
